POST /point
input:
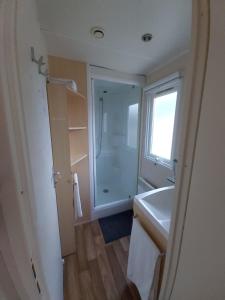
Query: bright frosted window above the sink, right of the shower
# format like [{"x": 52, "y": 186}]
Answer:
[{"x": 161, "y": 116}]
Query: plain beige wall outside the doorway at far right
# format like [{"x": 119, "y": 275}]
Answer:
[{"x": 201, "y": 269}]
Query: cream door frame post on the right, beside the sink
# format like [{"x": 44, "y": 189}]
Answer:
[{"x": 191, "y": 115}]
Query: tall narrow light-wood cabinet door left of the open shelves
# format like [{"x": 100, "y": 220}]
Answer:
[{"x": 57, "y": 101}]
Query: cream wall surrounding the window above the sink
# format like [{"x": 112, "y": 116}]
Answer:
[{"x": 157, "y": 174}]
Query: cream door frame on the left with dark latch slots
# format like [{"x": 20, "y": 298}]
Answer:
[{"x": 18, "y": 238}]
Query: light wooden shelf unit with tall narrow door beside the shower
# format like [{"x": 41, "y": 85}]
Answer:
[{"x": 71, "y": 144}]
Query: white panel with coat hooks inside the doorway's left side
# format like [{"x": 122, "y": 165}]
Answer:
[{"x": 39, "y": 152}]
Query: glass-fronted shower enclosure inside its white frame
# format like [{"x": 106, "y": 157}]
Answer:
[{"x": 116, "y": 141}]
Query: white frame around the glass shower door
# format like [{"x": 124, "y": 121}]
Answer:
[{"x": 99, "y": 73}]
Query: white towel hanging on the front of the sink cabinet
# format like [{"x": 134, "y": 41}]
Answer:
[{"x": 144, "y": 262}]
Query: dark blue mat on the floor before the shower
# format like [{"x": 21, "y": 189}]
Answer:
[{"x": 116, "y": 226}]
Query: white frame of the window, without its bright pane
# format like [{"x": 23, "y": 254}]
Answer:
[{"x": 162, "y": 87}]
